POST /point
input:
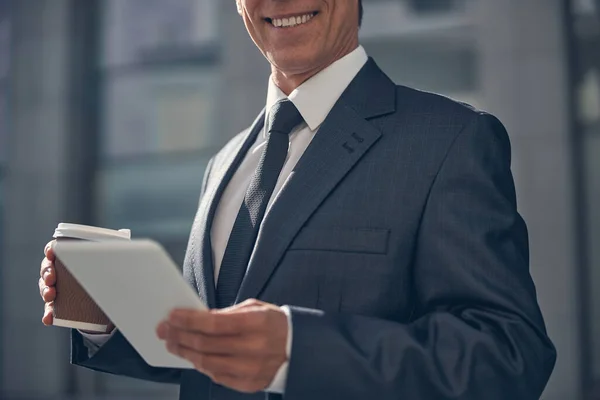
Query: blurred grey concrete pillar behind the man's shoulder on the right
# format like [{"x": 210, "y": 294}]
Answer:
[{"x": 524, "y": 82}]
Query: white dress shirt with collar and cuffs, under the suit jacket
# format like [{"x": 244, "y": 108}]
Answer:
[{"x": 314, "y": 99}]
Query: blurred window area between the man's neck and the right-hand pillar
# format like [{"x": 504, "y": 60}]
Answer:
[{"x": 424, "y": 44}]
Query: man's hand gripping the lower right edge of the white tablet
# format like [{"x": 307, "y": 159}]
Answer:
[{"x": 241, "y": 347}]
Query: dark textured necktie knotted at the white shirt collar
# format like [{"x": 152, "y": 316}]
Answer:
[{"x": 283, "y": 117}]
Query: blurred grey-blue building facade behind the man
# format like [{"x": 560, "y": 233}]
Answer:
[{"x": 110, "y": 110}]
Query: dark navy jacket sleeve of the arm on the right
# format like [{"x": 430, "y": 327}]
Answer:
[{"x": 476, "y": 331}]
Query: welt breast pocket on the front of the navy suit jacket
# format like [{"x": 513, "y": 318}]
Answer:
[{"x": 343, "y": 240}]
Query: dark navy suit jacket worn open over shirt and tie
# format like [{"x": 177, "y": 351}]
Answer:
[{"x": 398, "y": 244}]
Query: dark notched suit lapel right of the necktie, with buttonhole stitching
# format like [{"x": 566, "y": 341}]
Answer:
[{"x": 342, "y": 140}]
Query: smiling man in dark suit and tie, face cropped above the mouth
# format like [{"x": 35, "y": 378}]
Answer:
[{"x": 377, "y": 226}]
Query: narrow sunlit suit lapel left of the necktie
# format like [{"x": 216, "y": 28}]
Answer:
[{"x": 224, "y": 166}]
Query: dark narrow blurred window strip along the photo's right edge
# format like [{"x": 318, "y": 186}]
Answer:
[{"x": 586, "y": 31}]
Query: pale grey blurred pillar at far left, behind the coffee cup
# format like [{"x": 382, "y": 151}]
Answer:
[{"x": 35, "y": 359}]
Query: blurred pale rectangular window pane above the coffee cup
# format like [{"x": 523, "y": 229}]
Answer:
[{"x": 158, "y": 111}]
